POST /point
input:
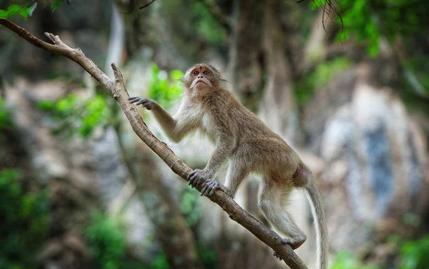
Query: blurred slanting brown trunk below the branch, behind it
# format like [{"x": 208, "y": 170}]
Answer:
[{"x": 171, "y": 229}]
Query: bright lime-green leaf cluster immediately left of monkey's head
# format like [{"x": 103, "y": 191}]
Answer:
[{"x": 163, "y": 87}]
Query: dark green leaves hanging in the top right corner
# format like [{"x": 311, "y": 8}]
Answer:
[{"x": 368, "y": 21}]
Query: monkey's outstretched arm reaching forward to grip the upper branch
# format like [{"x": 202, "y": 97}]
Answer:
[{"x": 175, "y": 129}]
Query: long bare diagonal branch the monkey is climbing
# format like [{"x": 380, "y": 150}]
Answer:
[{"x": 117, "y": 89}]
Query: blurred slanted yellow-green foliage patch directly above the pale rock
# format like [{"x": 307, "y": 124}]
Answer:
[{"x": 321, "y": 75}]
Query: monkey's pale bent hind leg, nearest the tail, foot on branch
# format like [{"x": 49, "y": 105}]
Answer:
[{"x": 272, "y": 201}]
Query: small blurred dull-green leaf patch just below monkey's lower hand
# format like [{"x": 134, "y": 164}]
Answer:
[{"x": 190, "y": 206}]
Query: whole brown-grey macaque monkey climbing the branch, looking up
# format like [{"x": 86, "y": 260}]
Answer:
[{"x": 249, "y": 145}]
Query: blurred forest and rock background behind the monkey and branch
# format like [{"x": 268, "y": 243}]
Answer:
[{"x": 78, "y": 189}]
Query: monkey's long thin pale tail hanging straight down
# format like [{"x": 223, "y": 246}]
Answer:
[{"x": 320, "y": 223}]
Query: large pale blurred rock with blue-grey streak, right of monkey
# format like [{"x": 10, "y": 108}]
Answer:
[{"x": 375, "y": 160}]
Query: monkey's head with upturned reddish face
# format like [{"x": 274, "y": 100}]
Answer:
[{"x": 202, "y": 77}]
